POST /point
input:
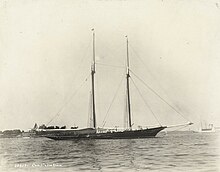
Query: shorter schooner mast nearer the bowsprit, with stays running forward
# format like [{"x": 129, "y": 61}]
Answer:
[{"x": 128, "y": 88}]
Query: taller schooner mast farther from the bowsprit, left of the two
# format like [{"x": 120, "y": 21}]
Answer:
[{"x": 93, "y": 81}]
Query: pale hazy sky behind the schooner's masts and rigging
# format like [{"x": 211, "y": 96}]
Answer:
[{"x": 46, "y": 52}]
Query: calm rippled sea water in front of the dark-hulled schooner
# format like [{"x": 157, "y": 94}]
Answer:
[{"x": 181, "y": 151}]
